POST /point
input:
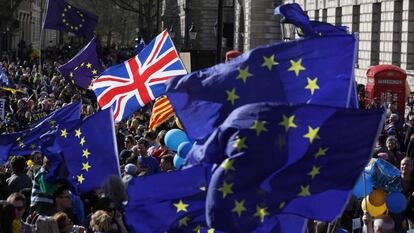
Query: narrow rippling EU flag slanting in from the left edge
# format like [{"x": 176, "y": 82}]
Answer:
[{"x": 27, "y": 141}]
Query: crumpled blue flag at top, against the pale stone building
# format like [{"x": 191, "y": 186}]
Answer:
[{"x": 293, "y": 13}]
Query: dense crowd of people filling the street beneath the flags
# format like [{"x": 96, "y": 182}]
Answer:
[{"x": 29, "y": 203}]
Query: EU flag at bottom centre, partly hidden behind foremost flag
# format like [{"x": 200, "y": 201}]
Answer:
[{"x": 168, "y": 202}]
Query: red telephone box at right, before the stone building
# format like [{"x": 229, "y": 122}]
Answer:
[{"x": 387, "y": 83}]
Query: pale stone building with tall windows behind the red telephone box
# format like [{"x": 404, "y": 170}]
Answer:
[{"x": 385, "y": 28}]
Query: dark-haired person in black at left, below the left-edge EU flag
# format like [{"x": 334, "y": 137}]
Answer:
[{"x": 19, "y": 179}]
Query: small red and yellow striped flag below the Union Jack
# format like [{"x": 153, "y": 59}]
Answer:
[{"x": 161, "y": 112}]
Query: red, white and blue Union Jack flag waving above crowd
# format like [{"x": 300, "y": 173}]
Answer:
[{"x": 129, "y": 86}]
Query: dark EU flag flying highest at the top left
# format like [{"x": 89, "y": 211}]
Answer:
[{"x": 63, "y": 16}]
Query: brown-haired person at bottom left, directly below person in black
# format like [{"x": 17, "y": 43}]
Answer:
[{"x": 18, "y": 200}]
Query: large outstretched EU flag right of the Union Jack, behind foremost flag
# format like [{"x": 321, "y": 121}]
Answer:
[{"x": 311, "y": 70}]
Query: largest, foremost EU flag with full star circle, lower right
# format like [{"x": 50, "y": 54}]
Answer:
[{"x": 275, "y": 159}]
